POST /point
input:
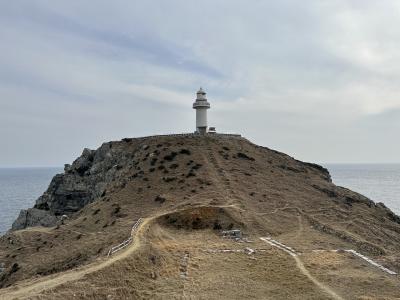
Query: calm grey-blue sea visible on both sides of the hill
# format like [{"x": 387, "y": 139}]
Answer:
[{"x": 20, "y": 187}]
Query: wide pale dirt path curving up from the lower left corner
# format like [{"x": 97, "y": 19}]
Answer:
[{"x": 32, "y": 287}]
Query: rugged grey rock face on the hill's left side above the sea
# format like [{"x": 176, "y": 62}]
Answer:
[{"x": 86, "y": 179}]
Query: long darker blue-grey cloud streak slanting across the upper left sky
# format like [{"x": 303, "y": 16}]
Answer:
[{"x": 109, "y": 44}]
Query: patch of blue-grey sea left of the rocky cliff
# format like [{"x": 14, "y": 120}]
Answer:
[{"x": 19, "y": 188}]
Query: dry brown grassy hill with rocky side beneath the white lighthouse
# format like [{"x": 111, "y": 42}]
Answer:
[{"x": 296, "y": 223}]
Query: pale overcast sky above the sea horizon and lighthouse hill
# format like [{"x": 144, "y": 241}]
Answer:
[{"x": 319, "y": 80}]
